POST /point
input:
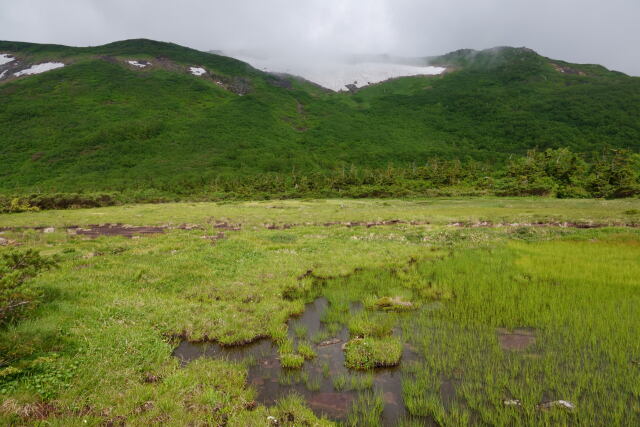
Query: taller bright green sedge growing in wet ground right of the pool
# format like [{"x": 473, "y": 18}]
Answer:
[{"x": 580, "y": 297}]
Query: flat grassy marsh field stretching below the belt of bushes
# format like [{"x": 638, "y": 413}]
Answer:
[{"x": 507, "y": 307}]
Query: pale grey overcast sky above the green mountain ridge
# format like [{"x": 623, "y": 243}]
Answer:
[{"x": 591, "y": 31}]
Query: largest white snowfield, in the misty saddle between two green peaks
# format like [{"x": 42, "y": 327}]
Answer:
[{"x": 336, "y": 76}]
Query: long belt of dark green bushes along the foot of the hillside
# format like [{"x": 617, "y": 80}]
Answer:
[{"x": 551, "y": 173}]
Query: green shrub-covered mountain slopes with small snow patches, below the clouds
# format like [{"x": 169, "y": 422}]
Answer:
[{"x": 100, "y": 124}]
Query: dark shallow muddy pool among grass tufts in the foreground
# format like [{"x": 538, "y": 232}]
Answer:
[{"x": 315, "y": 381}]
